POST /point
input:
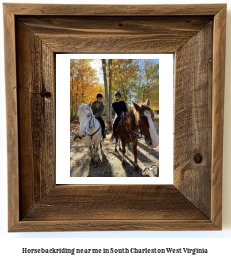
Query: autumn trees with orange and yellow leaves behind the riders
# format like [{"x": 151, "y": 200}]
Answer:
[{"x": 136, "y": 79}]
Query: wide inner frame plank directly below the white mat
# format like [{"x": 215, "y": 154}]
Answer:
[{"x": 114, "y": 202}]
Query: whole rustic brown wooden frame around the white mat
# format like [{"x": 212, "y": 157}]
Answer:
[{"x": 33, "y": 34}]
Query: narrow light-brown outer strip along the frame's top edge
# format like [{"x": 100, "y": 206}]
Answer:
[{"x": 115, "y": 10}]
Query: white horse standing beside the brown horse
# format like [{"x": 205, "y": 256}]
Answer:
[{"x": 91, "y": 129}]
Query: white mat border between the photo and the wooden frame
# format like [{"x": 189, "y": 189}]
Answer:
[{"x": 63, "y": 125}]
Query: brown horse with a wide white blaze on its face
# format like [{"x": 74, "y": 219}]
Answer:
[{"x": 141, "y": 117}]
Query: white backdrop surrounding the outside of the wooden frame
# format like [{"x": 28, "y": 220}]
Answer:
[{"x": 217, "y": 242}]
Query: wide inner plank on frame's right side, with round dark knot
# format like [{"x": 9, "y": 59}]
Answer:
[{"x": 193, "y": 125}]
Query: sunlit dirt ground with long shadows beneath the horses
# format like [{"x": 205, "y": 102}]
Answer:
[{"x": 110, "y": 162}]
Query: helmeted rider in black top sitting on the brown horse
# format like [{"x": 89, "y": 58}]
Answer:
[{"x": 119, "y": 108}]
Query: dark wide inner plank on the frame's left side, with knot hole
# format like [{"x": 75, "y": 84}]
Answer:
[{"x": 35, "y": 66}]
